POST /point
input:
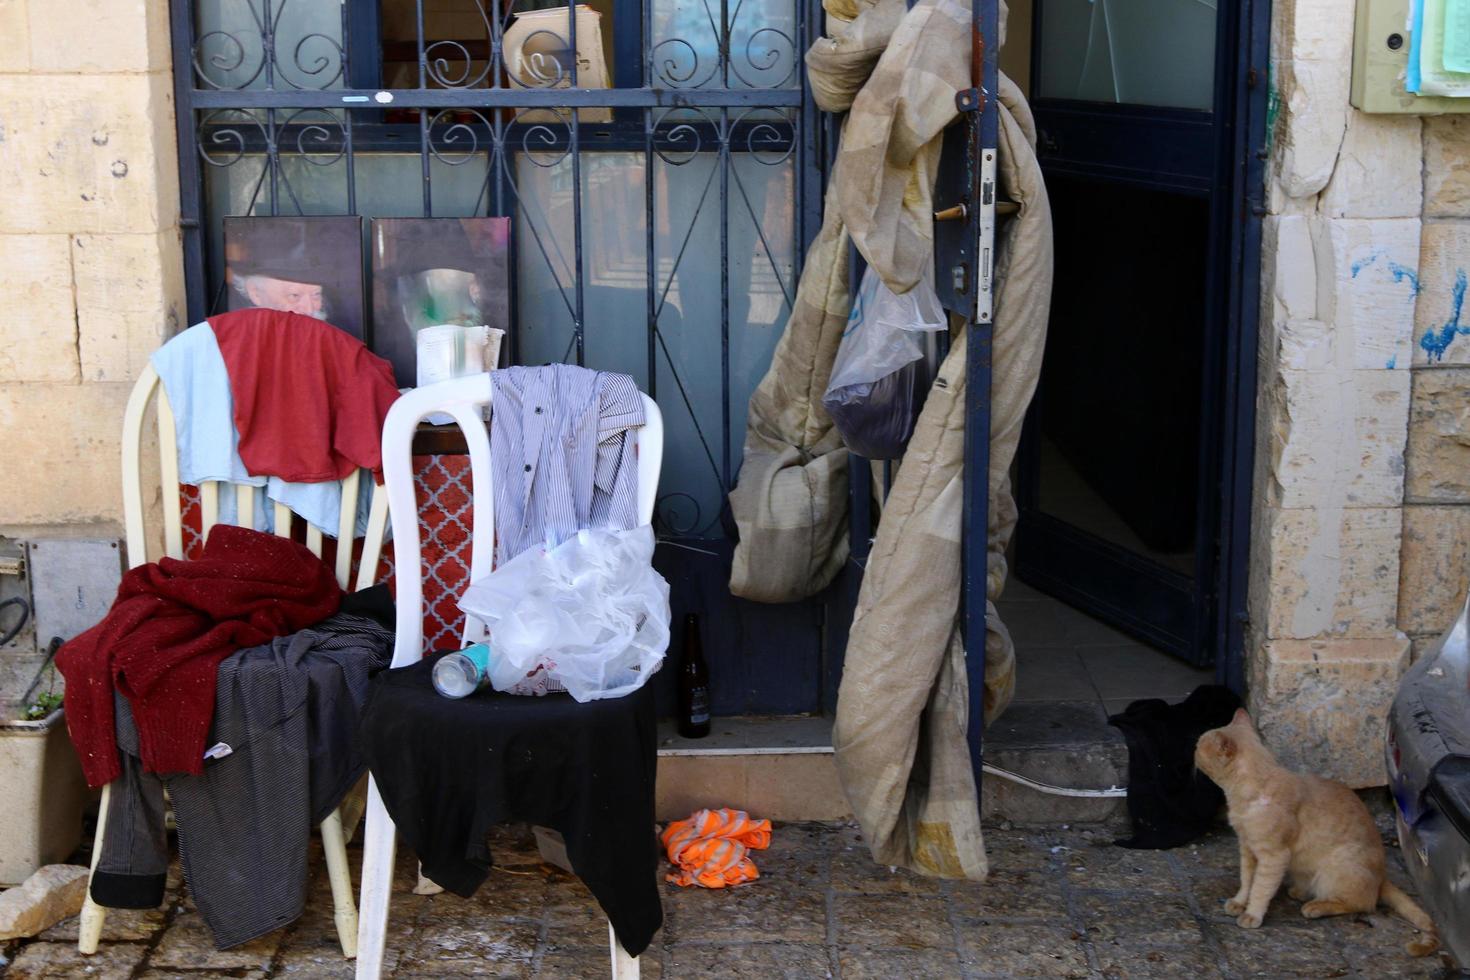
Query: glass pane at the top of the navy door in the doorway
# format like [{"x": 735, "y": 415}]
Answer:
[{"x": 1136, "y": 52}]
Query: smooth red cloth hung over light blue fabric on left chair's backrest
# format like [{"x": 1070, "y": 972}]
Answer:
[{"x": 309, "y": 397}]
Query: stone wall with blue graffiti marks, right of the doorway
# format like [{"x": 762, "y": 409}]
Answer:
[{"x": 1358, "y": 411}]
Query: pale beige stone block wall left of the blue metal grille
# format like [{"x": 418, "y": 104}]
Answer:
[{"x": 90, "y": 259}]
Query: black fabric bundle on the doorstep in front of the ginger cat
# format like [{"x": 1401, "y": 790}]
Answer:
[{"x": 1169, "y": 801}]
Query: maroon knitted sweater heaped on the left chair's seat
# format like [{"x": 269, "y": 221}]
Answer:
[{"x": 167, "y": 633}]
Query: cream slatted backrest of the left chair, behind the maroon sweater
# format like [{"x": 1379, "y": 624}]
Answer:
[{"x": 151, "y": 390}]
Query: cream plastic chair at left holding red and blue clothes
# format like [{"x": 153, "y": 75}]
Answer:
[{"x": 334, "y": 843}]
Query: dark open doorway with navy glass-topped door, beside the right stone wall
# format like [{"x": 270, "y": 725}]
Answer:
[{"x": 1130, "y": 478}]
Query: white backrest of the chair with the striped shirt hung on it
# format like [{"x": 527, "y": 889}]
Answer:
[{"x": 465, "y": 399}]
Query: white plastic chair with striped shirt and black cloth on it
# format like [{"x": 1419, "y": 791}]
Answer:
[{"x": 464, "y": 399}]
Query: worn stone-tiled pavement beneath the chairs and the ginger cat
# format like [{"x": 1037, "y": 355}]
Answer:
[{"x": 1059, "y": 904}]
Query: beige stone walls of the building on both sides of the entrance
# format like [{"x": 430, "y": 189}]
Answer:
[{"x": 1360, "y": 530}]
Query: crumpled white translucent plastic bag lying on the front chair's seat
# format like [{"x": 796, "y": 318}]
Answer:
[{"x": 589, "y": 615}]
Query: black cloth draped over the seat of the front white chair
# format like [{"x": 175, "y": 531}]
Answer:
[{"x": 451, "y": 771}]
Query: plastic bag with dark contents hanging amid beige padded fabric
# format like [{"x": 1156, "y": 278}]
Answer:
[{"x": 877, "y": 386}]
